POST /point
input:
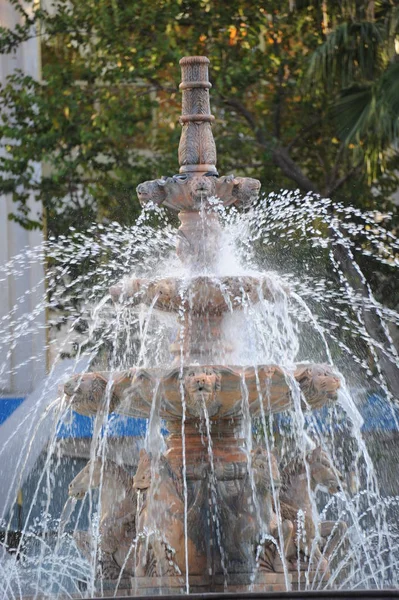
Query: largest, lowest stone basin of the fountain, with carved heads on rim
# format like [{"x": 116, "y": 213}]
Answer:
[{"x": 222, "y": 392}]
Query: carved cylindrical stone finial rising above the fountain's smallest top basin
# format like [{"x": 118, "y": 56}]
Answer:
[{"x": 197, "y": 149}]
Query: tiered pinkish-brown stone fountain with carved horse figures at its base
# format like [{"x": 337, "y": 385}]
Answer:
[{"x": 209, "y": 512}]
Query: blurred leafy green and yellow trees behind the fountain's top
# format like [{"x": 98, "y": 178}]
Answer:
[{"x": 305, "y": 94}]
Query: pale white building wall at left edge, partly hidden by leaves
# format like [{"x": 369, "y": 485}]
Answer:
[{"x": 13, "y": 239}]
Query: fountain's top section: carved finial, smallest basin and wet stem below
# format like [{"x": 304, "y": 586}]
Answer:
[{"x": 193, "y": 190}]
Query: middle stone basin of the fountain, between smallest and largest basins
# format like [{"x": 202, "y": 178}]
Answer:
[{"x": 203, "y": 294}]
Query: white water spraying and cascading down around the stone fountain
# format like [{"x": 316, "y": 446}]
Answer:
[{"x": 318, "y": 310}]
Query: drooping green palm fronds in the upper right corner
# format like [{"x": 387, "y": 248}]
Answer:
[{"x": 359, "y": 66}]
